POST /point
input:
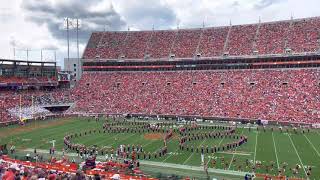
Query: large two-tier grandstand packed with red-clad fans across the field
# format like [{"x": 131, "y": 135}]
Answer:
[{"x": 265, "y": 71}]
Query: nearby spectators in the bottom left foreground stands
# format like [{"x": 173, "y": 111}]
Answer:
[{"x": 11, "y": 169}]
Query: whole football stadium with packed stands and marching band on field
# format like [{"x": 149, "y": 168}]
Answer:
[{"x": 223, "y": 102}]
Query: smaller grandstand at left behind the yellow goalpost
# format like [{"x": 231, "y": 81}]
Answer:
[{"x": 24, "y": 85}]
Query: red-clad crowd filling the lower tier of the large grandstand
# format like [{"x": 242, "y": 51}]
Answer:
[{"x": 280, "y": 95}]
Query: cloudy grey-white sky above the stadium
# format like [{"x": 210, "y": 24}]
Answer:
[{"x": 38, "y": 24}]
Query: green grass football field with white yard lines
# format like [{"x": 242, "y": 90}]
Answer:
[{"x": 271, "y": 148}]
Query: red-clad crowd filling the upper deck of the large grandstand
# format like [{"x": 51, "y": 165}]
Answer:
[{"x": 299, "y": 35}]
